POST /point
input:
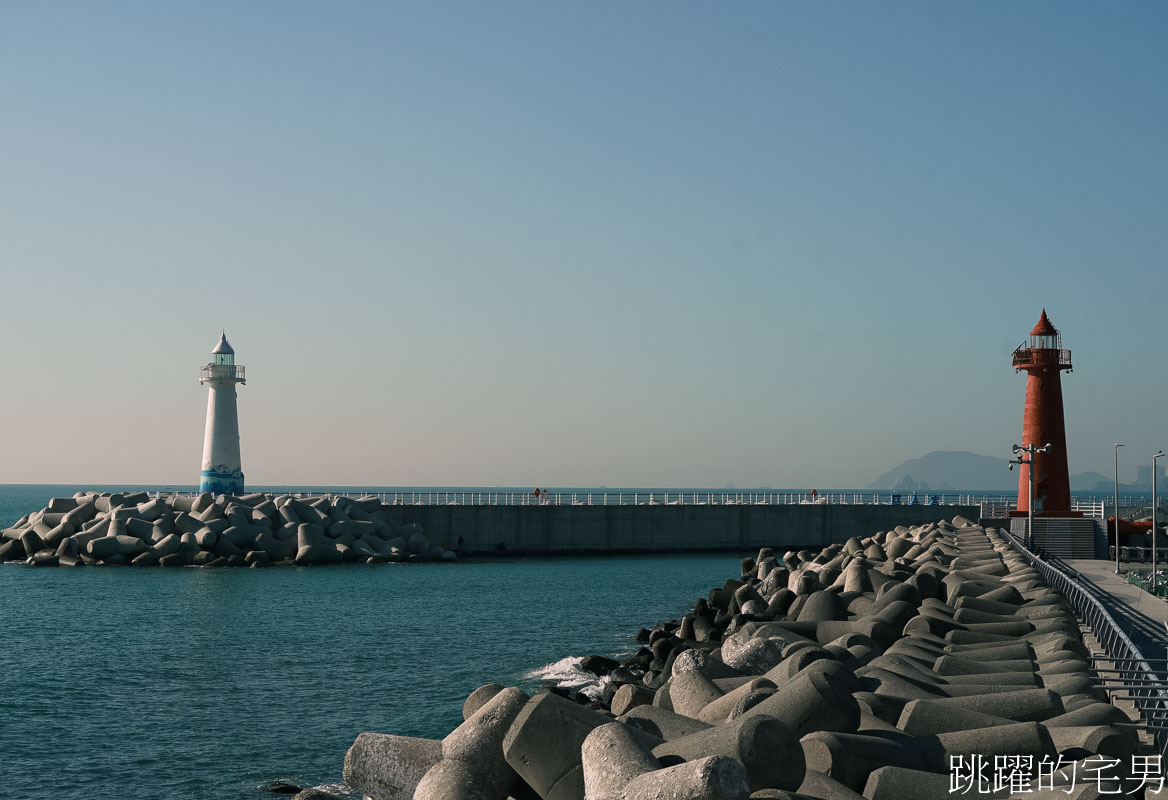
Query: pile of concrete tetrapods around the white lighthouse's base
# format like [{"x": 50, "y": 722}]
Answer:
[{"x": 213, "y": 531}]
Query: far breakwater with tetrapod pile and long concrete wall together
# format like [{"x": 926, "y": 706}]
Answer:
[{"x": 262, "y": 530}]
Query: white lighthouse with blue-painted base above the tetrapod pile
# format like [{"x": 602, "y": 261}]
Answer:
[{"x": 223, "y": 470}]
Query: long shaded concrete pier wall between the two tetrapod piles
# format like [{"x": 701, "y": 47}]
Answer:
[{"x": 559, "y": 530}]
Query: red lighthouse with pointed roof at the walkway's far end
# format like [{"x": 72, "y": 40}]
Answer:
[{"x": 1044, "y": 361}]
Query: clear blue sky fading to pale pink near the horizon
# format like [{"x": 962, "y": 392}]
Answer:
[{"x": 655, "y": 245}]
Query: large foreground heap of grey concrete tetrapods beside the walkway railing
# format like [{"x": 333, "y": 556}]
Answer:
[{"x": 886, "y": 669}]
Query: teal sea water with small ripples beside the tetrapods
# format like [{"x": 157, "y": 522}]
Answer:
[{"x": 190, "y": 684}]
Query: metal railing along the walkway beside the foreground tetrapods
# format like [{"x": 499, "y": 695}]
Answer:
[{"x": 1144, "y": 686}]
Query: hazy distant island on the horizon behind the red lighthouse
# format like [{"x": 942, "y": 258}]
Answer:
[{"x": 949, "y": 470}]
